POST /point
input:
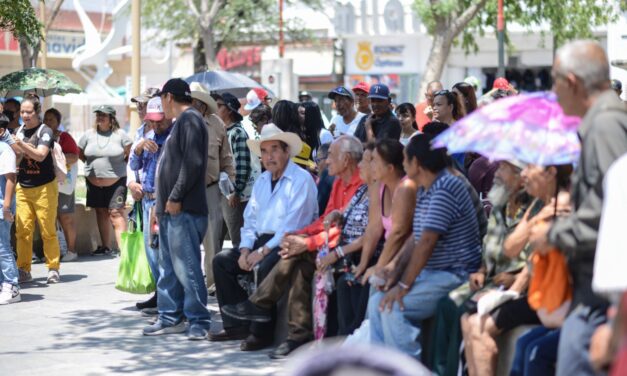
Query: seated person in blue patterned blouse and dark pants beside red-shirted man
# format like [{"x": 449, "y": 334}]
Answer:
[{"x": 352, "y": 297}]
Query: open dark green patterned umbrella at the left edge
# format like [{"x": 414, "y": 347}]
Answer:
[{"x": 43, "y": 82}]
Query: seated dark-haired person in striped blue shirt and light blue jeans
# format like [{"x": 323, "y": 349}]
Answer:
[{"x": 447, "y": 248}]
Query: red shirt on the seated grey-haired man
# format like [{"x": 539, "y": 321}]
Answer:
[{"x": 341, "y": 195}]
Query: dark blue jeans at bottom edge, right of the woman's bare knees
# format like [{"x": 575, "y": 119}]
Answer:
[{"x": 536, "y": 352}]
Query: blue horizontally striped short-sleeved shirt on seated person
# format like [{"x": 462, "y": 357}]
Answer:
[{"x": 446, "y": 208}]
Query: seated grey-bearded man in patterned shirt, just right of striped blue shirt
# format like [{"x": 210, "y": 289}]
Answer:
[{"x": 511, "y": 202}]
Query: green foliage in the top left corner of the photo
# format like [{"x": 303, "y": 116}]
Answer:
[{"x": 19, "y": 18}]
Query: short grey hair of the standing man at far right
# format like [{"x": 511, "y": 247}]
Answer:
[{"x": 587, "y": 60}]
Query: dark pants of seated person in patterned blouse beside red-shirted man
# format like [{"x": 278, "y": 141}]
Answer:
[{"x": 352, "y": 302}]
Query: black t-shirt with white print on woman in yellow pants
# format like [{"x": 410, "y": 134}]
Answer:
[{"x": 32, "y": 173}]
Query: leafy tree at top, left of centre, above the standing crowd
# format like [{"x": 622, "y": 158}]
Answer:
[{"x": 210, "y": 25}]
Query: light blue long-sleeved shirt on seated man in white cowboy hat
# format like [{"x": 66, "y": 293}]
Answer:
[{"x": 291, "y": 206}]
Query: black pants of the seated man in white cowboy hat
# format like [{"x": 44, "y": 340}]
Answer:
[{"x": 228, "y": 290}]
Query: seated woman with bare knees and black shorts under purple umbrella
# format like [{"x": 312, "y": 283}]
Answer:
[{"x": 480, "y": 332}]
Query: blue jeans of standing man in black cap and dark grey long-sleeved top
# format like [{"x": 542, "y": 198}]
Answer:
[{"x": 181, "y": 289}]
